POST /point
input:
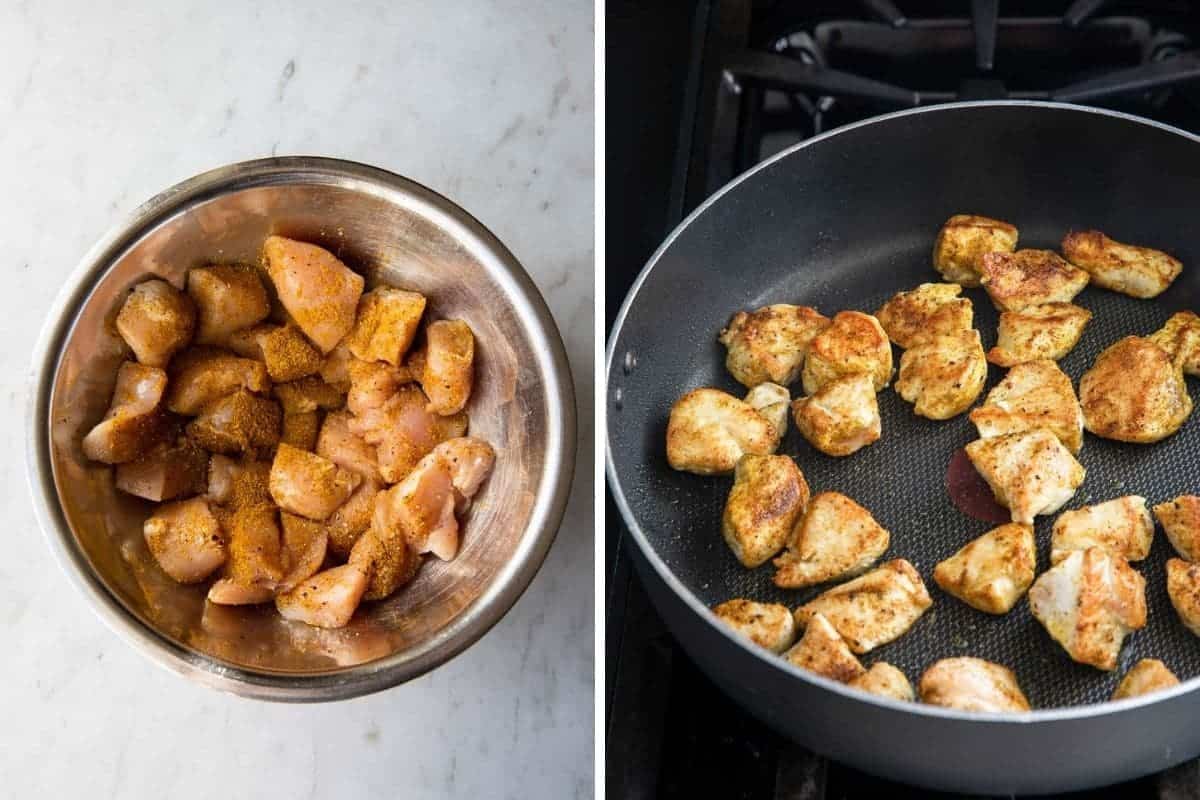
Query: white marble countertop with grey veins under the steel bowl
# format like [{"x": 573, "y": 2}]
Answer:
[{"x": 487, "y": 103}]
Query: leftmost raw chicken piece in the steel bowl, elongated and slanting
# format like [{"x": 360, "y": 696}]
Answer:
[{"x": 134, "y": 423}]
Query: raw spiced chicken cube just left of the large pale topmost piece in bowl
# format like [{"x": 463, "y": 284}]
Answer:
[{"x": 229, "y": 298}]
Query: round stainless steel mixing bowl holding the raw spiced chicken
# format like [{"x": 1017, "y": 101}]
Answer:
[{"x": 395, "y": 232}]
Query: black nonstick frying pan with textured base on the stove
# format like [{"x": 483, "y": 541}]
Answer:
[{"x": 844, "y": 221}]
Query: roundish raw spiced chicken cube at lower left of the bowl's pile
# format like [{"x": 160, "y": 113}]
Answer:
[{"x": 185, "y": 539}]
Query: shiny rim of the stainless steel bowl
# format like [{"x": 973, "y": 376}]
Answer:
[{"x": 469, "y": 627}]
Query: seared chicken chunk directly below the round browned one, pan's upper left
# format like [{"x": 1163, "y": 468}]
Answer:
[{"x": 842, "y": 418}]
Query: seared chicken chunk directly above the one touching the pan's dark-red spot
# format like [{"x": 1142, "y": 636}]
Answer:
[{"x": 1033, "y": 395}]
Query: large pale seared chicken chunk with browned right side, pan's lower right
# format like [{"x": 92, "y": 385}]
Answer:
[{"x": 1089, "y": 603}]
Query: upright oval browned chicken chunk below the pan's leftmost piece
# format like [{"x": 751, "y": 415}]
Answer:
[{"x": 769, "y": 495}]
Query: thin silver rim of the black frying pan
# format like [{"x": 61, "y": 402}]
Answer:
[{"x": 1065, "y": 714}]
